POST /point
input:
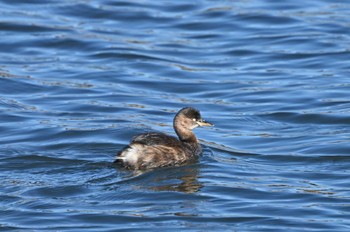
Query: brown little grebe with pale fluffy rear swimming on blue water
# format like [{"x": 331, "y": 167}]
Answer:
[{"x": 152, "y": 150}]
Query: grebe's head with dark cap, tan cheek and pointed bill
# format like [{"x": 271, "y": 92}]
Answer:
[{"x": 190, "y": 118}]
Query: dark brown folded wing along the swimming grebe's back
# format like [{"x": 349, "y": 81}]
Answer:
[{"x": 155, "y": 138}]
